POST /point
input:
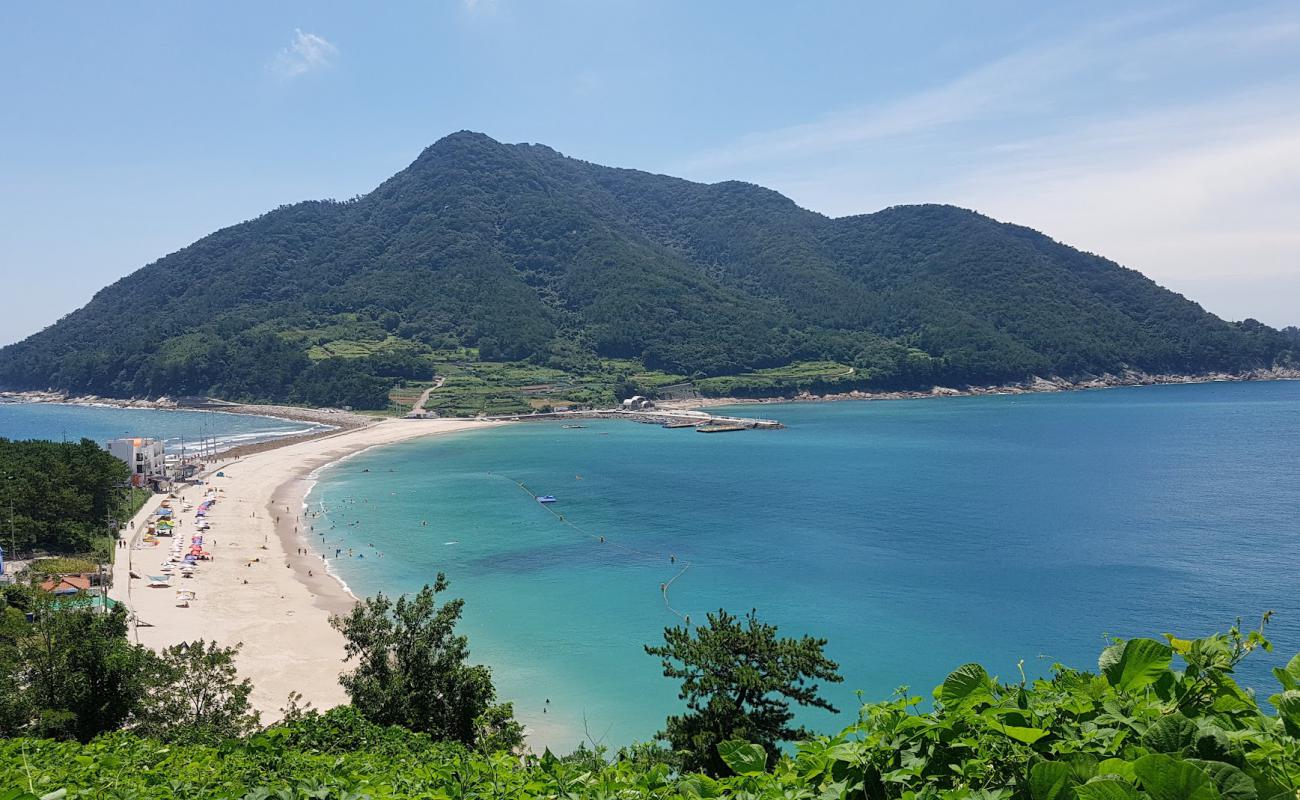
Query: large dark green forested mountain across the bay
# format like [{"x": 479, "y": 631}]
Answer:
[{"x": 518, "y": 253}]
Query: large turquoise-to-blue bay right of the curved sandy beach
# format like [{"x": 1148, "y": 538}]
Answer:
[{"x": 913, "y": 535}]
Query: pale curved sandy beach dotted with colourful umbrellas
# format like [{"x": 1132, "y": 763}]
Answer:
[{"x": 257, "y": 590}]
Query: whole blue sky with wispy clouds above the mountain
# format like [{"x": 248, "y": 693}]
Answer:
[{"x": 1164, "y": 136}]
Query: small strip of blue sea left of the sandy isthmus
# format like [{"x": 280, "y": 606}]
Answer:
[{"x": 102, "y": 423}]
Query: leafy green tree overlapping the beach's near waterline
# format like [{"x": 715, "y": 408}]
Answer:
[{"x": 413, "y": 672}]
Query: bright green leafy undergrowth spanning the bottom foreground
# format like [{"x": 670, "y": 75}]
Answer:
[{"x": 1160, "y": 720}]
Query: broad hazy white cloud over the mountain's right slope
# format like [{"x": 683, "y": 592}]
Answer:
[{"x": 1193, "y": 184}]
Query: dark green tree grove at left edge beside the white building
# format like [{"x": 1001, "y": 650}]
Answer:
[{"x": 63, "y": 498}]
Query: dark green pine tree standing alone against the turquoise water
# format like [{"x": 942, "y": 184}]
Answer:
[{"x": 739, "y": 681}]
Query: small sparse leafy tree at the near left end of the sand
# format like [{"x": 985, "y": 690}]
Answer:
[{"x": 197, "y": 695}]
